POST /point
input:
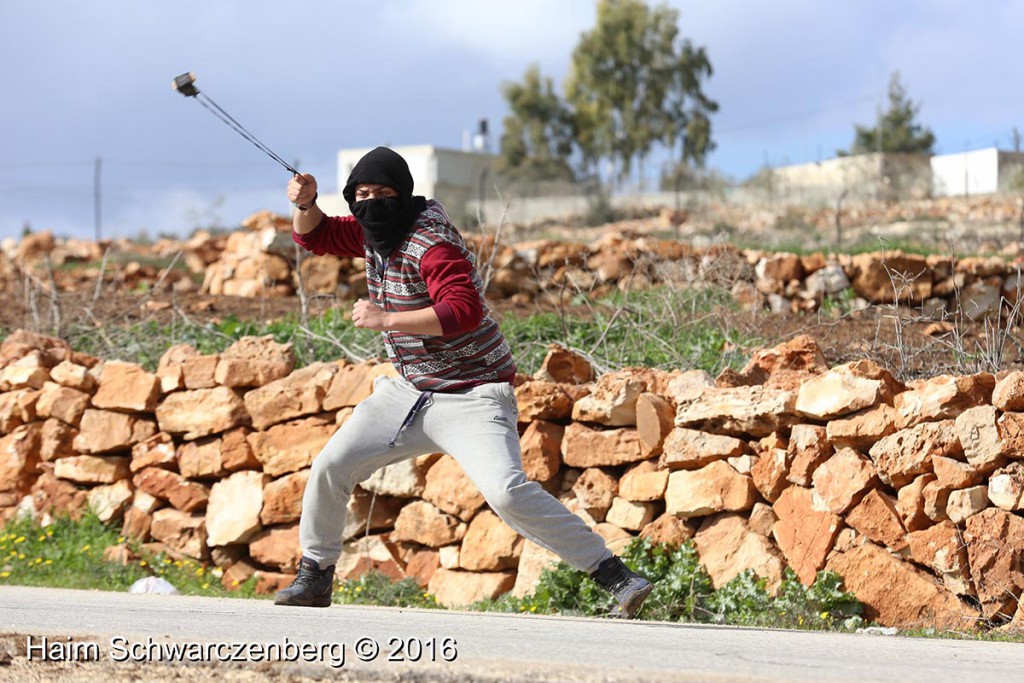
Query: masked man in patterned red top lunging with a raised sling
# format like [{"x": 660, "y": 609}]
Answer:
[{"x": 455, "y": 394}]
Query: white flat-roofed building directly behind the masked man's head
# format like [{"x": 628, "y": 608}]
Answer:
[{"x": 451, "y": 177}]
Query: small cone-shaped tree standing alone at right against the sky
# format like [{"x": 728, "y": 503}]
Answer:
[{"x": 898, "y": 132}]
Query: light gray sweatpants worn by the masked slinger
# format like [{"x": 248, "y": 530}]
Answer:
[{"x": 477, "y": 428}]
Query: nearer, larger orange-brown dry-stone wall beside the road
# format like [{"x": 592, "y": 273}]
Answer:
[{"x": 913, "y": 493}]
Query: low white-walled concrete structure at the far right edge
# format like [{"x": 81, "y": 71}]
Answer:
[{"x": 978, "y": 173}]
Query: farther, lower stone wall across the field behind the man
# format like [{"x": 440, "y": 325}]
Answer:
[{"x": 556, "y": 272}]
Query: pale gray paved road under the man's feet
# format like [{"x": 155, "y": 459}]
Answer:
[{"x": 494, "y": 647}]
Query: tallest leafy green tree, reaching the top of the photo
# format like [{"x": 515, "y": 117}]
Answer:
[{"x": 635, "y": 84}]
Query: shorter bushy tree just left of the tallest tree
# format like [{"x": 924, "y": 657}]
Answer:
[{"x": 537, "y": 142}]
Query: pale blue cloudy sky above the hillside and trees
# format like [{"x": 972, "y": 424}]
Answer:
[{"x": 88, "y": 80}]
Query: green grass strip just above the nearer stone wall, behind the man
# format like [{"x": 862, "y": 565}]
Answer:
[{"x": 660, "y": 328}]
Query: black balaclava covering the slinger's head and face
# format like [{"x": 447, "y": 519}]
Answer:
[{"x": 386, "y": 222}]
